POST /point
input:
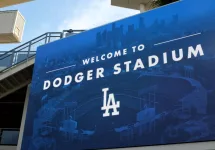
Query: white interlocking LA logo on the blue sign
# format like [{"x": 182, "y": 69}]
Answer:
[{"x": 109, "y": 103}]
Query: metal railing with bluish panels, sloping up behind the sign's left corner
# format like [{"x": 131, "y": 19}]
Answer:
[{"x": 26, "y": 51}]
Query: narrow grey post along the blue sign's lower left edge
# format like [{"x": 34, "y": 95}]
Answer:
[{"x": 23, "y": 119}]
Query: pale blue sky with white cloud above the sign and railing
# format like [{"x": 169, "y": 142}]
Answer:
[{"x": 56, "y": 15}]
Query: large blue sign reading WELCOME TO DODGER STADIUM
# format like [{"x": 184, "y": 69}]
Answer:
[{"x": 144, "y": 80}]
